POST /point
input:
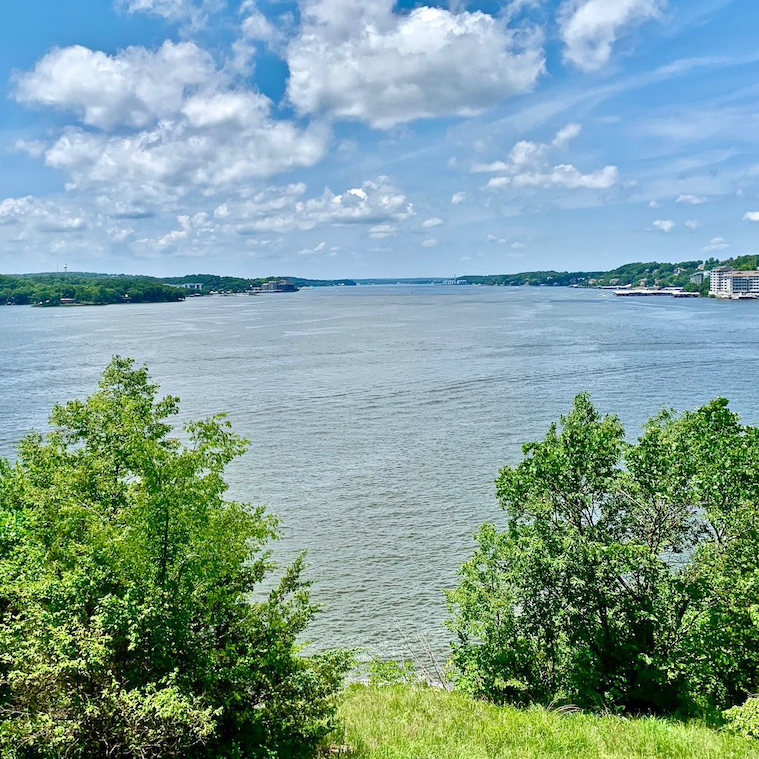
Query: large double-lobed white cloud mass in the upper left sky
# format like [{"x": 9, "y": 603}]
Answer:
[{"x": 187, "y": 126}]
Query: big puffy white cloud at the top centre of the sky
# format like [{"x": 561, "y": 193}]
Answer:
[{"x": 364, "y": 61}]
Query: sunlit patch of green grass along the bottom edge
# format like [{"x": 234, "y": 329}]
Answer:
[{"x": 394, "y": 722}]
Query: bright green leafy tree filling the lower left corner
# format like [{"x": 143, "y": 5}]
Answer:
[{"x": 131, "y": 620}]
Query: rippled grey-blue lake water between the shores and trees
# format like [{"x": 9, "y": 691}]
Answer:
[{"x": 380, "y": 416}]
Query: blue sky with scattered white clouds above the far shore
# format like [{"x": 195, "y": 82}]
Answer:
[{"x": 366, "y": 138}]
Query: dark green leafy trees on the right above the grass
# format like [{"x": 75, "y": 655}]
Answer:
[{"x": 628, "y": 575}]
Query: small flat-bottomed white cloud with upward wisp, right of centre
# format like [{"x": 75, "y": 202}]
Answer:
[{"x": 528, "y": 165}]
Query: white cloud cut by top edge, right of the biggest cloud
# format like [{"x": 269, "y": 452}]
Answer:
[{"x": 589, "y": 28}]
